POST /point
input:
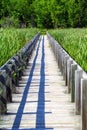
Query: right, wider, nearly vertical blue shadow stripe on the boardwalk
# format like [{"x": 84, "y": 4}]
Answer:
[{"x": 40, "y": 118}]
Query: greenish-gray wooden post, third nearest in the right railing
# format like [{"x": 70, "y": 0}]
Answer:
[{"x": 72, "y": 81}]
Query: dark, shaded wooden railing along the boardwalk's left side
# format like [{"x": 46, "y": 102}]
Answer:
[{"x": 11, "y": 72}]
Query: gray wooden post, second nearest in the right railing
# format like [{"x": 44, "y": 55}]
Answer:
[{"x": 78, "y": 76}]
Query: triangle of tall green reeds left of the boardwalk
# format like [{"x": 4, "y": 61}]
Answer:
[{"x": 11, "y": 40}]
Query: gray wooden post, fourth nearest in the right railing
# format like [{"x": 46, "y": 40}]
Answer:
[{"x": 69, "y": 62}]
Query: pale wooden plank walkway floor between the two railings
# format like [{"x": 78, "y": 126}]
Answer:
[{"x": 43, "y": 102}]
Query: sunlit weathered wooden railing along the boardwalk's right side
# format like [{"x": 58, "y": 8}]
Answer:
[{"x": 75, "y": 79}]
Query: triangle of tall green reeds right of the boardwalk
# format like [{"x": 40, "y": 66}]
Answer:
[{"x": 74, "y": 41}]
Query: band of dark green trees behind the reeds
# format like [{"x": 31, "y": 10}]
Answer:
[{"x": 43, "y": 13}]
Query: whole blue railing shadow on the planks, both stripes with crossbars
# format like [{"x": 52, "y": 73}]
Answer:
[{"x": 40, "y": 114}]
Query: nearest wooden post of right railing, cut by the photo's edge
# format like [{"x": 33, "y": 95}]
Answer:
[{"x": 84, "y": 103}]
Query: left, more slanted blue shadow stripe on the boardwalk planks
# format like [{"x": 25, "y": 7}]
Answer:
[{"x": 18, "y": 117}]
